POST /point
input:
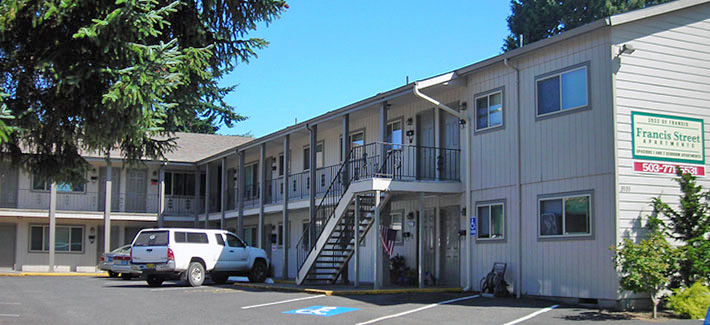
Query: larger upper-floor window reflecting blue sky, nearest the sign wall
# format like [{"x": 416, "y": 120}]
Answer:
[{"x": 562, "y": 91}]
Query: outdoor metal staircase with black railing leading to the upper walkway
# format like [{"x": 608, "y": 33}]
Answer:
[{"x": 328, "y": 242}]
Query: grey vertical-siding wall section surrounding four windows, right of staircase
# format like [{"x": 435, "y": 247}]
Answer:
[{"x": 565, "y": 153}]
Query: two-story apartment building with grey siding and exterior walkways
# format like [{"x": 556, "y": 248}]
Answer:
[{"x": 541, "y": 158}]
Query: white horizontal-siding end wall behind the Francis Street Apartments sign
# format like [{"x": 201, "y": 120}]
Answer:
[{"x": 669, "y": 73}]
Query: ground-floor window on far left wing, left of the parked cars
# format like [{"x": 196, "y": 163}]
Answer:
[{"x": 67, "y": 239}]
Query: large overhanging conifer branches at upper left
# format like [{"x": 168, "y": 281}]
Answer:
[{"x": 117, "y": 74}]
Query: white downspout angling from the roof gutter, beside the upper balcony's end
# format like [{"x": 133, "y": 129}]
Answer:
[{"x": 467, "y": 181}]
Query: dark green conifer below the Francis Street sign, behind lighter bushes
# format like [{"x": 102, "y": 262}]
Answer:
[{"x": 690, "y": 225}]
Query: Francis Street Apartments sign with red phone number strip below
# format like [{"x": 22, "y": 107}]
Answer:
[{"x": 675, "y": 141}]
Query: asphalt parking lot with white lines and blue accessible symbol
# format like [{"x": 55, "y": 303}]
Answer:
[{"x": 84, "y": 300}]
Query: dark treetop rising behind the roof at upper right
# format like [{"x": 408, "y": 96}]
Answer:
[{"x": 539, "y": 19}]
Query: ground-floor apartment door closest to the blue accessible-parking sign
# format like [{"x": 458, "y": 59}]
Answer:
[{"x": 449, "y": 264}]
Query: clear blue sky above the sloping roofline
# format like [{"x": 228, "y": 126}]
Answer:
[{"x": 327, "y": 54}]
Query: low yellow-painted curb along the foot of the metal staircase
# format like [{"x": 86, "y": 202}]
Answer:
[{"x": 356, "y": 292}]
